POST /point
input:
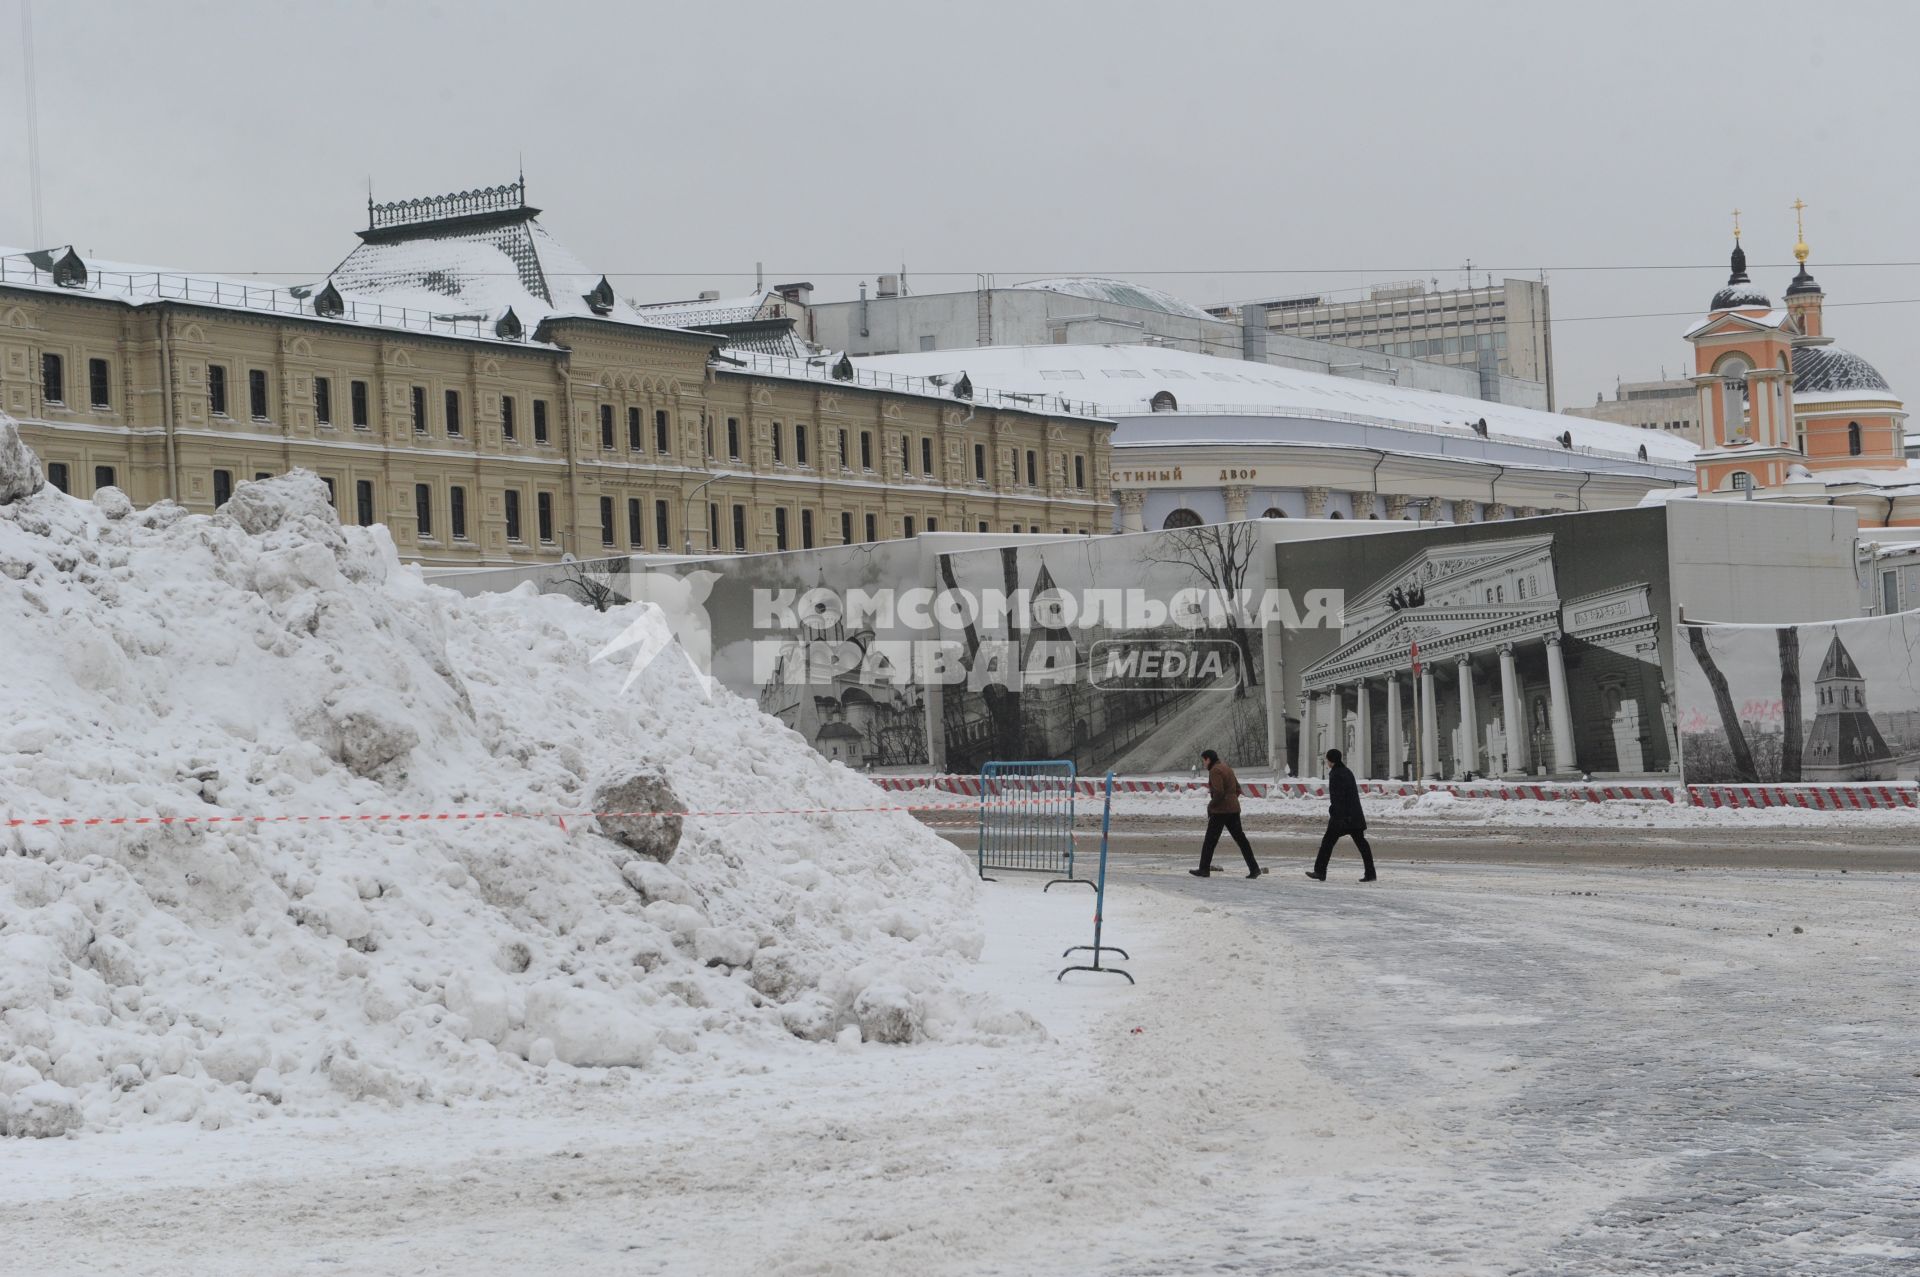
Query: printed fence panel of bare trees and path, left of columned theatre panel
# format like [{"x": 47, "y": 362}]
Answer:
[{"x": 1130, "y": 658}]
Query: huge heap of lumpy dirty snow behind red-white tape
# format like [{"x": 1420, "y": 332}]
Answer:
[{"x": 266, "y": 662}]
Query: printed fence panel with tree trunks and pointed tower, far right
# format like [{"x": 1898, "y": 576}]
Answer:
[{"x": 1802, "y": 704}]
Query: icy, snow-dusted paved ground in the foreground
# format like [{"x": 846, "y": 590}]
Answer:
[{"x": 1462, "y": 1071}]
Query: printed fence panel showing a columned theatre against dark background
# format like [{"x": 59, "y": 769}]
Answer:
[{"x": 1543, "y": 644}]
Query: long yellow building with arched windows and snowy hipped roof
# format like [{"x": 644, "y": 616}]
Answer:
[{"x": 487, "y": 435}]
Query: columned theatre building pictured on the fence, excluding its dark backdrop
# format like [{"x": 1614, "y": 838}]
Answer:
[{"x": 1579, "y": 679}]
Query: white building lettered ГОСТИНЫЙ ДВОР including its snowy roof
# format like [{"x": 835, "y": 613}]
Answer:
[{"x": 1214, "y": 441}]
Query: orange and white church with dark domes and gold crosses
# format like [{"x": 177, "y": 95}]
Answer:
[{"x": 1787, "y": 414}]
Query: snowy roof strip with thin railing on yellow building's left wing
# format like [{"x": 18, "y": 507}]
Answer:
[{"x": 137, "y": 287}]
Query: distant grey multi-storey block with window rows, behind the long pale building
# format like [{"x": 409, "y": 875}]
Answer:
[{"x": 1502, "y": 331}]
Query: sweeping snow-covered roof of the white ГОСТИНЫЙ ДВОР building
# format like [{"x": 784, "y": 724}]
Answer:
[{"x": 1122, "y": 381}]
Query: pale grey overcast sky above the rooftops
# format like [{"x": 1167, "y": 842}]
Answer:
[{"x": 1216, "y": 151}]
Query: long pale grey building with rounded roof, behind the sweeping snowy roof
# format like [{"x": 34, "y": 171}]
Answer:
[{"x": 1111, "y": 312}]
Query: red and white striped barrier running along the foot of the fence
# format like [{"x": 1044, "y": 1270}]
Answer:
[{"x": 1840, "y": 798}]
